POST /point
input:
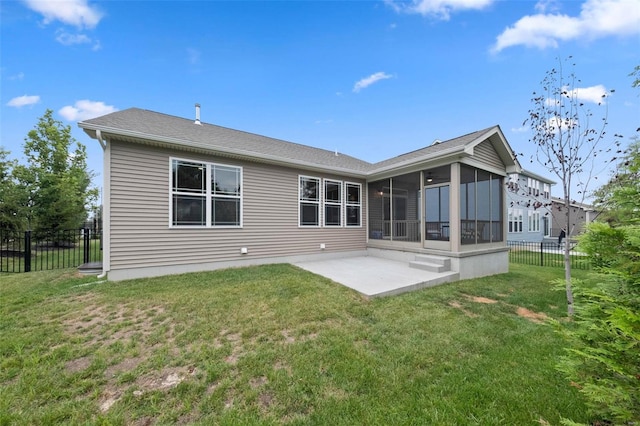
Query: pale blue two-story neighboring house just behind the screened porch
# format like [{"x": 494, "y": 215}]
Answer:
[{"x": 528, "y": 207}]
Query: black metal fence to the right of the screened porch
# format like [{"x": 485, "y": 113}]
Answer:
[{"x": 546, "y": 254}]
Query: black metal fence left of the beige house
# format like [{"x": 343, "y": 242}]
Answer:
[{"x": 26, "y": 251}]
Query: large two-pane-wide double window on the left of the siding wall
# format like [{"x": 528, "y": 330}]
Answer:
[{"x": 205, "y": 194}]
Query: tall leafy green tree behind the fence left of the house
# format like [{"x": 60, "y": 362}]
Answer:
[{"x": 57, "y": 177}]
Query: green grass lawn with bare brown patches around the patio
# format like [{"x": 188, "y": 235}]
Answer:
[{"x": 275, "y": 344}]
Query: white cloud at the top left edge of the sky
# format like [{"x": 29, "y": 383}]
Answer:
[{"x": 72, "y": 12}]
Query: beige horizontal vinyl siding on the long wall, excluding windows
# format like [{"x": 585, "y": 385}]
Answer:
[{"x": 140, "y": 232}]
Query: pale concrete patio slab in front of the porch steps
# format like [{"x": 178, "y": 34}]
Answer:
[{"x": 375, "y": 276}]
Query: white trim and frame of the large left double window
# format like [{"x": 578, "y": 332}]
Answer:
[{"x": 207, "y": 195}]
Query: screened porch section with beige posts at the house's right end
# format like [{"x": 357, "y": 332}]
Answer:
[{"x": 455, "y": 207}]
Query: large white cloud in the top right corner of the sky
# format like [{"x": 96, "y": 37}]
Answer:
[{"x": 598, "y": 18}]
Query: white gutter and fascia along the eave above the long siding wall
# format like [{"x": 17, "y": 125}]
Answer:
[{"x": 173, "y": 142}]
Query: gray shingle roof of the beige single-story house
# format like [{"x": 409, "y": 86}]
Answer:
[{"x": 153, "y": 126}]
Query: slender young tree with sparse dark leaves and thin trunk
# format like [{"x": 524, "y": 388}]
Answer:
[{"x": 568, "y": 140}]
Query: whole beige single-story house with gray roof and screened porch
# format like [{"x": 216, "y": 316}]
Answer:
[{"x": 183, "y": 196}]
